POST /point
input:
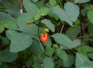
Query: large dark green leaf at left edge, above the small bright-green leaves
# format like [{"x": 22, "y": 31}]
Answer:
[{"x": 5, "y": 17}]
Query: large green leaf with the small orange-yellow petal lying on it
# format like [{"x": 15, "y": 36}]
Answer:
[{"x": 25, "y": 18}]
